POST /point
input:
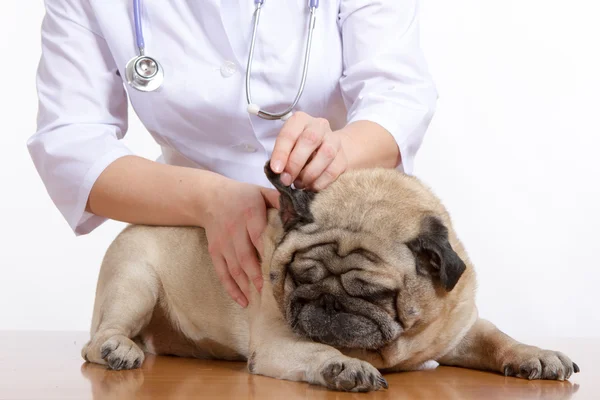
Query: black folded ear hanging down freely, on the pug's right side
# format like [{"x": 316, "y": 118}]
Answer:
[{"x": 434, "y": 254}]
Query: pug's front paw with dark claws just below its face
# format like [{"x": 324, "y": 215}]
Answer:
[{"x": 352, "y": 375}]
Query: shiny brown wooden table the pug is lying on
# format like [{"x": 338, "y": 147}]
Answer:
[{"x": 48, "y": 365}]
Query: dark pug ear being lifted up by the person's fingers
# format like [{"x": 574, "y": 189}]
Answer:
[{"x": 294, "y": 204}]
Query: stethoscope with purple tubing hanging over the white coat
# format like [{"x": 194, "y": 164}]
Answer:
[{"x": 145, "y": 73}]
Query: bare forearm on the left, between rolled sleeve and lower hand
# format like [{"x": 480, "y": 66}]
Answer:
[{"x": 136, "y": 190}]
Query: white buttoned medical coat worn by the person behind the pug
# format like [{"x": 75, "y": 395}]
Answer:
[{"x": 366, "y": 64}]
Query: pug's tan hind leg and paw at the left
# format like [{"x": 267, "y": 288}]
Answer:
[{"x": 126, "y": 296}]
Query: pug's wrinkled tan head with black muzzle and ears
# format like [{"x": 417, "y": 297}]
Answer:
[{"x": 364, "y": 261}]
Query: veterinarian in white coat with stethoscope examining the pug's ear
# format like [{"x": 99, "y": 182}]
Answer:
[{"x": 332, "y": 85}]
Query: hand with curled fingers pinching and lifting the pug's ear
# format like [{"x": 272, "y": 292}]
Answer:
[{"x": 307, "y": 153}]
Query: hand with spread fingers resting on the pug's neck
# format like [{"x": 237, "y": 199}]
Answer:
[{"x": 234, "y": 221}]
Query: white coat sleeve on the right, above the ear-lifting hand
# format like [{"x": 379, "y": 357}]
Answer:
[{"x": 385, "y": 78}]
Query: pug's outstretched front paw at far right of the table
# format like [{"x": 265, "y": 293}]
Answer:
[{"x": 534, "y": 363}]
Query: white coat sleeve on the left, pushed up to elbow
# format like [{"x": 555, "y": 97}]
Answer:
[{"x": 82, "y": 110}]
